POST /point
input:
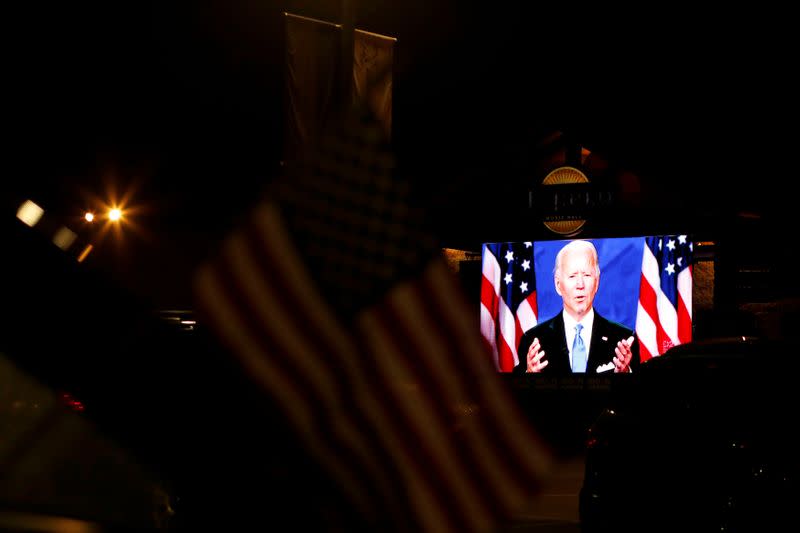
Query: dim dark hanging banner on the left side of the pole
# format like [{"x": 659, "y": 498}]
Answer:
[{"x": 310, "y": 80}]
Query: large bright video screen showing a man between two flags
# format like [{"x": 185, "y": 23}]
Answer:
[{"x": 642, "y": 285}]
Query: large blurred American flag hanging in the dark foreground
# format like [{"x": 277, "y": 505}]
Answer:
[{"x": 336, "y": 300}]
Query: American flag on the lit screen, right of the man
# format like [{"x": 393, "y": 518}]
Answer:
[{"x": 664, "y": 317}]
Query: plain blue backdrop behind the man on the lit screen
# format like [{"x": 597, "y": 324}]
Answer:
[{"x": 620, "y": 272}]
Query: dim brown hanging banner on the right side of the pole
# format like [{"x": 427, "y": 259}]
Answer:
[{"x": 373, "y": 69}]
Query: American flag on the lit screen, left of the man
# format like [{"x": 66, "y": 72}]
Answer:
[{"x": 508, "y": 299}]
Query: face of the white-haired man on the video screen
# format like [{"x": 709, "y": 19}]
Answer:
[{"x": 577, "y": 282}]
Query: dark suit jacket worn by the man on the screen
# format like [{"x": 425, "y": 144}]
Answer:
[{"x": 553, "y": 340}]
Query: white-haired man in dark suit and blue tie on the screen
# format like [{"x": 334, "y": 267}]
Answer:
[{"x": 578, "y": 339}]
